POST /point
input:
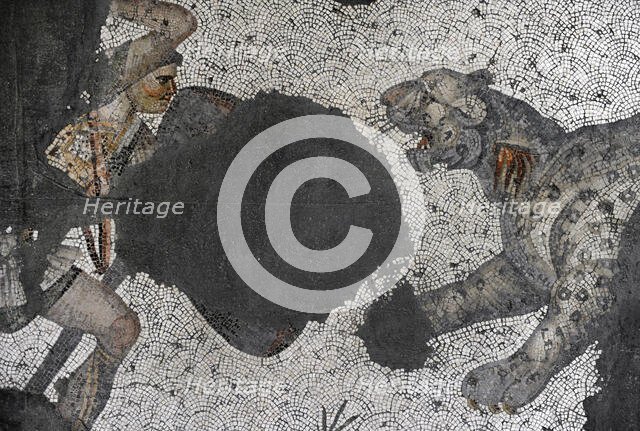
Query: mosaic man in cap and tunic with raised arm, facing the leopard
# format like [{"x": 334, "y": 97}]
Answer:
[{"x": 93, "y": 152}]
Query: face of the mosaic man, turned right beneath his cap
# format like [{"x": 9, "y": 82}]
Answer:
[{"x": 153, "y": 93}]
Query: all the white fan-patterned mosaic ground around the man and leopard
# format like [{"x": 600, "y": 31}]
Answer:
[{"x": 576, "y": 63}]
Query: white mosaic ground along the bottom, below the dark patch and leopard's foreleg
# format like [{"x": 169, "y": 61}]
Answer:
[{"x": 182, "y": 375}]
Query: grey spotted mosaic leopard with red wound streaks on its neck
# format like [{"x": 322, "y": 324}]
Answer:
[{"x": 559, "y": 256}]
